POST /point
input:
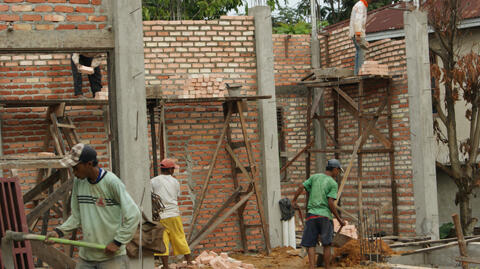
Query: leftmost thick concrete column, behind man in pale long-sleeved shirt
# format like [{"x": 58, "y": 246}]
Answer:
[{"x": 130, "y": 107}]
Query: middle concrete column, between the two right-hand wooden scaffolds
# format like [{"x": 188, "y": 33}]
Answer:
[{"x": 270, "y": 169}]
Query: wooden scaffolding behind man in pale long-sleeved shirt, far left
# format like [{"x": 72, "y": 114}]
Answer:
[{"x": 54, "y": 181}]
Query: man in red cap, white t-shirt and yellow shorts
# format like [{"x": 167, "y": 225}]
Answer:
[{"x": 168, "y": 188}]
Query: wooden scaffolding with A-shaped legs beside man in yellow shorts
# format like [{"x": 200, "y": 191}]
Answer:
[{"x": 232, "y": 106}]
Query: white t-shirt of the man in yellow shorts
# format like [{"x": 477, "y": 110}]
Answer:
[{"x": 168, "y": 188}]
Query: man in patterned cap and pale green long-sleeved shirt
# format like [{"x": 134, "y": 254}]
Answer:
[{"x": 102, "y": 208}]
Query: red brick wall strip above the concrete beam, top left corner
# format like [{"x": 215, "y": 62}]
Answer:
[{"x": 53, "y": 14}]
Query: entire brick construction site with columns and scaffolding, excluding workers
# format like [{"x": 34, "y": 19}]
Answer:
[{"x": 246, "y": 115}]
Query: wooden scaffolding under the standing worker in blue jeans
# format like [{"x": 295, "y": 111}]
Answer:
[{"x": 366, "y": 127}]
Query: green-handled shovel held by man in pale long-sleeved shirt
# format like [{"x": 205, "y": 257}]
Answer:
[{"x": 10, "y": 236}]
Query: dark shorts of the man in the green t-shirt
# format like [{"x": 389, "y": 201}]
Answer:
[{"x": 317, "y": 227}]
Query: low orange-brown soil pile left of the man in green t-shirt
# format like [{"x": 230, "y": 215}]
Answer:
[{"x": 280, "y": 258}]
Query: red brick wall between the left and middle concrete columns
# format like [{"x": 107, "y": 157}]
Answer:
[{"x": 188, "y": 59}]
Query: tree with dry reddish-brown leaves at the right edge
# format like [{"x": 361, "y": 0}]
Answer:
[{"x": 460, "y": 77}]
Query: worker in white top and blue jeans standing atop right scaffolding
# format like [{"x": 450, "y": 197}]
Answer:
[{"x": 358, "y": 20}]
